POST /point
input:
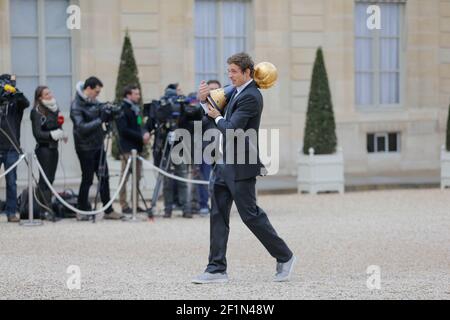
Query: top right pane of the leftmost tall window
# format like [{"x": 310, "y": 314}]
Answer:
[{"x": 55, "y": 17}]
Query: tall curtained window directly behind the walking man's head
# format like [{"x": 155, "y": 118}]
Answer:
[{"x": 221, "y": 28}]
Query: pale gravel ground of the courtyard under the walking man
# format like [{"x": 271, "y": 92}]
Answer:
[{"x": 336, "y": 238}]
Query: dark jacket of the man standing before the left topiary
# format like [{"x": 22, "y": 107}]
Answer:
[{"x": 130, "y": 132}]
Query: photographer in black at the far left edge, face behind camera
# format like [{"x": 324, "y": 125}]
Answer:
[{"x": 12, "y": 105}]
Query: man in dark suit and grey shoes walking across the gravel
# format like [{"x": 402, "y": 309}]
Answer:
[{"x": 234, "y": 179}]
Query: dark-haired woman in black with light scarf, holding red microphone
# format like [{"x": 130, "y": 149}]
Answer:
[{"x": 46, "y": 121}]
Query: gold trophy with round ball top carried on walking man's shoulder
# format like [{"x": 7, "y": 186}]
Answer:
[{"x": 265, "y": 76}]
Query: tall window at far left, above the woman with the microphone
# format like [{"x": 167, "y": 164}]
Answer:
[{"x": 41, "y": 47}]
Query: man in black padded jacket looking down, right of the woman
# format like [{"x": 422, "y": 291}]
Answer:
[{"x": 88, "y": 115}]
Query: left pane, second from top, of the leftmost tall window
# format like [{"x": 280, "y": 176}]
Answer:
[{"x": 25, "y": 56}]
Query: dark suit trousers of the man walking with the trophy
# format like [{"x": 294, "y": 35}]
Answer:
[{"x": 223, "y": 193}]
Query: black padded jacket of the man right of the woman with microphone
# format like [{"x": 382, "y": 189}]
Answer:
[{"x": 87, "y": 125}]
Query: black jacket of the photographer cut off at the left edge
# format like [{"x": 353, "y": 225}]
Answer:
[{"x": 10, "y": 121}]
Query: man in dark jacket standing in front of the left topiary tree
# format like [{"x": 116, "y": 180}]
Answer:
[{"x": 131, "y": 136}]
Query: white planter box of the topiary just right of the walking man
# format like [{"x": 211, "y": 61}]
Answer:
[{"x": 320, "y": 173}]
